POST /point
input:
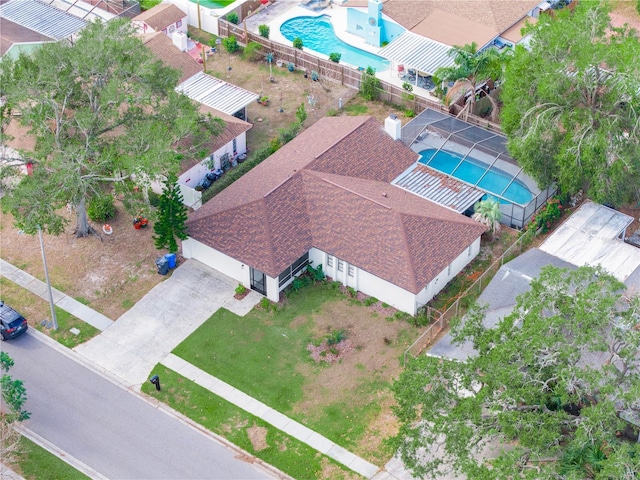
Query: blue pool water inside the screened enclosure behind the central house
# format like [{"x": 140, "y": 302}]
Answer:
[{"x": 470, "y": 170}]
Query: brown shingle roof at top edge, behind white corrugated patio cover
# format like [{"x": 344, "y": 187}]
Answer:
[{"x": 497, "y": 15}]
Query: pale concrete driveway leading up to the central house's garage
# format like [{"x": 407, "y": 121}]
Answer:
[{"x": 163, "y": 318}]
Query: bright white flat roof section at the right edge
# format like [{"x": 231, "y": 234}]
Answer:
[{"x": 589, "y": 237}]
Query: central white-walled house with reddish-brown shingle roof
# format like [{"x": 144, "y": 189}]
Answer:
[{"x": 326, "y": 198}]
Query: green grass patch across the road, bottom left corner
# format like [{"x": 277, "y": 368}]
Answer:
[{"x": 36, "y": 463}]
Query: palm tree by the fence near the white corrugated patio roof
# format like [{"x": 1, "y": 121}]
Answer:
[{"x": 470, "y": 70}]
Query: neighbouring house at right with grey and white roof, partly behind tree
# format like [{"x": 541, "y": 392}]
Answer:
[{"x": 592, "y": 235}]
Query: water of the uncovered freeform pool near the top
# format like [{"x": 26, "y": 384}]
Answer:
[{"x": 317, "y": 34}]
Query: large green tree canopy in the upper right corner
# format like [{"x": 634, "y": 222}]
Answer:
[{"x": 572, "y": 104}]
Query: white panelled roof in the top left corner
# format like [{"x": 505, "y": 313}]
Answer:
[{"x": 42, "y": 18}]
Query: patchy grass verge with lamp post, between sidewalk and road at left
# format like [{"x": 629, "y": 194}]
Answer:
[{"x": 35, "y": 309}]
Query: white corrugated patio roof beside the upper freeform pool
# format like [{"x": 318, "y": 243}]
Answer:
[{"x": 416, "y": 51}]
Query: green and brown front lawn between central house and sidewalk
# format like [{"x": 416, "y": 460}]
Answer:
[{"x": 264, "y": 354}]
